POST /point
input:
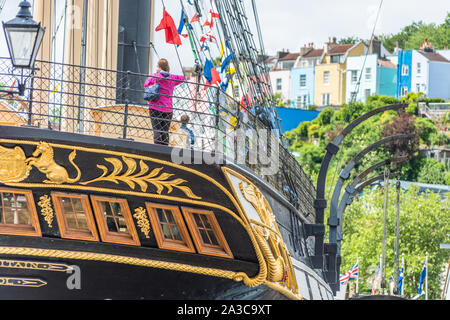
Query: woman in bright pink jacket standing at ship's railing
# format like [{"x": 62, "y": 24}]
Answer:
[{"x": 161, "y": 110}]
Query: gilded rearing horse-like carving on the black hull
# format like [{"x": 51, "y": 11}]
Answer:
[{"x": 47, "y": 165}]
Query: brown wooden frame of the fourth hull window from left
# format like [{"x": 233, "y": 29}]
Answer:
[{"x": 186, "y": 245}]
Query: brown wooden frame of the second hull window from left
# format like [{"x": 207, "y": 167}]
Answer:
[{"x": 69, "y": 233}]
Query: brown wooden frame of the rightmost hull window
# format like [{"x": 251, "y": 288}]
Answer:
[{"x": 222, "y": 250}]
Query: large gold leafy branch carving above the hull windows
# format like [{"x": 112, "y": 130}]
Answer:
[{"x": 133, "y": 178}]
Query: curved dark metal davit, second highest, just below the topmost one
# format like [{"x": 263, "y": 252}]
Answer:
[{"x": 333, "y": 262}]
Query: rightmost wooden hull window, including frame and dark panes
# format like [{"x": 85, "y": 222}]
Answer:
[{"x": 206, "y": 232}]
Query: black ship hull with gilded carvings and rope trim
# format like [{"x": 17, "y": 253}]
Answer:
[{"x": 258, "y": 250}]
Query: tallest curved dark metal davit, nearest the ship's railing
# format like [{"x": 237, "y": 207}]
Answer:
[{"x": 317, "y": 230}]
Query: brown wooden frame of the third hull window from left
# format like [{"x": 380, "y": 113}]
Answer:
[{"x": 114, "y": 237}]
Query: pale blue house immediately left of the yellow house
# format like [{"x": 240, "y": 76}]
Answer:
[{"x": 303, "y": 77}]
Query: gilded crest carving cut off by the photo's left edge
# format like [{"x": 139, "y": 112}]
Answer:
[{"x": 13, "y": 166}]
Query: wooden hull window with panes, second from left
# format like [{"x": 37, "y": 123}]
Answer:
[{"x": 74, "y": 216}]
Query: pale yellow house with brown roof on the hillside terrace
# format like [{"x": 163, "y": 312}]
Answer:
[{"x": 330, "y": 74}]
